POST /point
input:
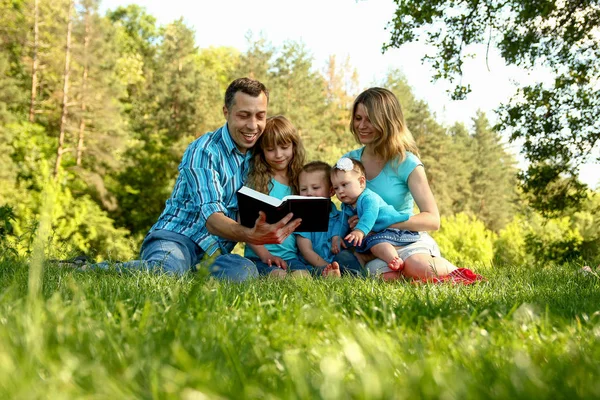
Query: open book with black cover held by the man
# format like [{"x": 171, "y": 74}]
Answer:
[{"x": 314, "y": 211}]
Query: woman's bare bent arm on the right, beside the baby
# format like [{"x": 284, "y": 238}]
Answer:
[{"x": 428, "y": 219}]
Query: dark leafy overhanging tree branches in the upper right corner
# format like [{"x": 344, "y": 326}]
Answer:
[{"x": 557, "y": 122}]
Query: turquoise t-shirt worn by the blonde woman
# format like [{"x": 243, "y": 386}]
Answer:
[{"x": 392, "y": 182}]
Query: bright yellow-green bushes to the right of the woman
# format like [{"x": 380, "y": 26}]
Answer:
[{"x": 527, "y": 239}]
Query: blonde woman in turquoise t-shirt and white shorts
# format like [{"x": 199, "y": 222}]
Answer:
[{"x": 394, "y": 171}]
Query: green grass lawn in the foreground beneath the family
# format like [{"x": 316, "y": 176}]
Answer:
[{"x": 525, "y": 333}]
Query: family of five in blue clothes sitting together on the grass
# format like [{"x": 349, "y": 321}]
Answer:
[{"x": 376, "y": 233}]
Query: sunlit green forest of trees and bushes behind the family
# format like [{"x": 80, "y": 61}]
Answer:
[{"x": 96, "y": 111}]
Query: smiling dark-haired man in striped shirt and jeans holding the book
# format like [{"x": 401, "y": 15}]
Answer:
[{"x": 198, "y": 224}]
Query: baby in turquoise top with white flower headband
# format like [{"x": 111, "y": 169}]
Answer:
[{"x": 371, "y": 233}]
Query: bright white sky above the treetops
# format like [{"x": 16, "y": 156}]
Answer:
[{"x": 354, "y": 29}]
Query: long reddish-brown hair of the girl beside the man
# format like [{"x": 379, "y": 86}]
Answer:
[{"x": 278, "y": 131}]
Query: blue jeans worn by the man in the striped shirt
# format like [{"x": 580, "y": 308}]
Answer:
[{"x": 176, "y": 254}]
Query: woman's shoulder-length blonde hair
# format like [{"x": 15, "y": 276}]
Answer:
[{"x": 386, "y": 116}]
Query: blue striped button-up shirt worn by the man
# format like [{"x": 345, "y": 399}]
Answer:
[{"x": 211, "y": 172}]
